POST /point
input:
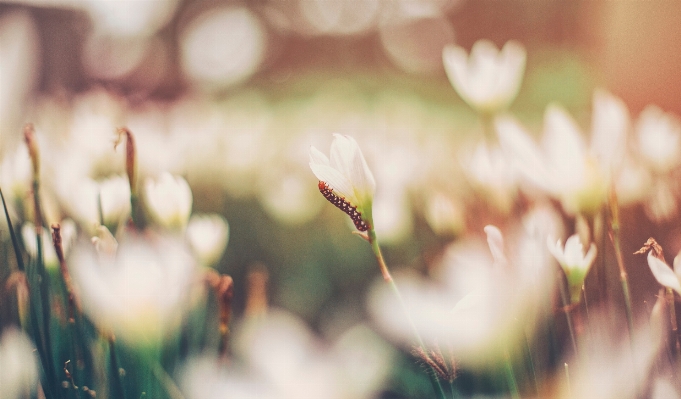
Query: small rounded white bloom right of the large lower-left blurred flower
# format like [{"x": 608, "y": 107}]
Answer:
[{"x": 208, "y": 235}]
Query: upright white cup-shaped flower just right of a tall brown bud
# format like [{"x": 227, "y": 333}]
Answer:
[{"x": 169, "y": 200}]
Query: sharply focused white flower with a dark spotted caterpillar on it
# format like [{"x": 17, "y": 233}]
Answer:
[{"x": 345, "y": 179}]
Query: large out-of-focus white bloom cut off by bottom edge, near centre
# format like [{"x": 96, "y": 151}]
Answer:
[{"x": 284, "y": 360}]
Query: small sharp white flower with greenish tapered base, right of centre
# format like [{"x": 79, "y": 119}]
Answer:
[{"x": 574, "y": 261}]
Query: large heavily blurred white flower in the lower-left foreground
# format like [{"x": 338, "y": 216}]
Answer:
[{"x": 141, "y": 292}]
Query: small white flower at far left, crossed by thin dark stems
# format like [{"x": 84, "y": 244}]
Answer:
[{"x": 68, "y": 237}]
